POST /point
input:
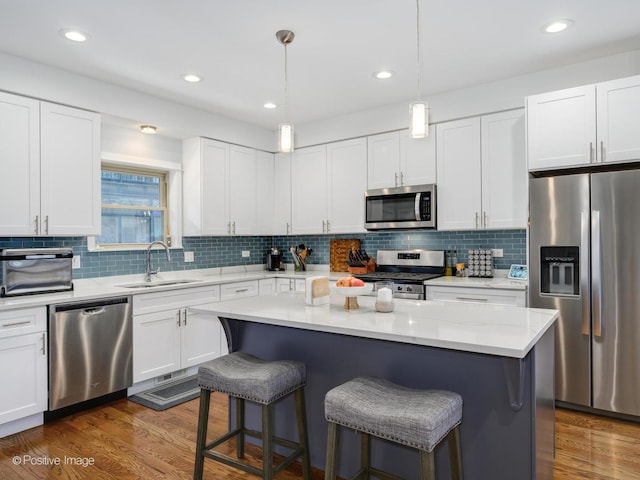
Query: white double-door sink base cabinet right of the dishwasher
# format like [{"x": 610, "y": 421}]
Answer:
[{"x": 166, "y": 337}]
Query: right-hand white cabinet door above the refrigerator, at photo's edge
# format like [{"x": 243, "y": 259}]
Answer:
[{"x": 618, "y": 125}]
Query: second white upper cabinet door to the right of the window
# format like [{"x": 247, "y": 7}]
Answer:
[{"x": 243, "y": 189}]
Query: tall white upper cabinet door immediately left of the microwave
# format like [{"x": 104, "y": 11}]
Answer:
[{"x": 347, "y": 164}]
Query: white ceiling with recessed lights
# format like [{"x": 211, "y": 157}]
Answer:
[{"x": 147, "y": 45}]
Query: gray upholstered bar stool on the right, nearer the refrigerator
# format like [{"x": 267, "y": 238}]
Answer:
[{"x": 421, "y": 419}]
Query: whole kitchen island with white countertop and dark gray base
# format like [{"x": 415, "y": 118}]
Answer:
[{"x": 500, "y": 359}]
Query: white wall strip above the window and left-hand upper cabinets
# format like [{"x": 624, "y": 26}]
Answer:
[{"x": 32, "y": 79}]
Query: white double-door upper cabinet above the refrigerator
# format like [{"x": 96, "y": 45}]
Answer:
[{"x": 584, "y": 125}]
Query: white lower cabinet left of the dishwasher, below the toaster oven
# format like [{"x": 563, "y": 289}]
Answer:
[{"x": 23, "y": 367}]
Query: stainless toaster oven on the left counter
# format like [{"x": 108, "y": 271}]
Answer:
[{"x": 28, "y": 271}]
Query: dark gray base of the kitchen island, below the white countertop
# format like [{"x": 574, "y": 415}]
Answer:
[{"x": 508, "y": 417}]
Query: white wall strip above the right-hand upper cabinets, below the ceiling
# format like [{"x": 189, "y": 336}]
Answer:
[{"x": 490, "y": 97}]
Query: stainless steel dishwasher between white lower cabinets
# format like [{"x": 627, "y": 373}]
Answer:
[{"x": 90, "y": 350}]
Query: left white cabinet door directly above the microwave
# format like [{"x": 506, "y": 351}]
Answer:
[{"x": 383, "y": 160}]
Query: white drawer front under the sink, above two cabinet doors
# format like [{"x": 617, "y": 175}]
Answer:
[{"x": 180, "y": 298}]
